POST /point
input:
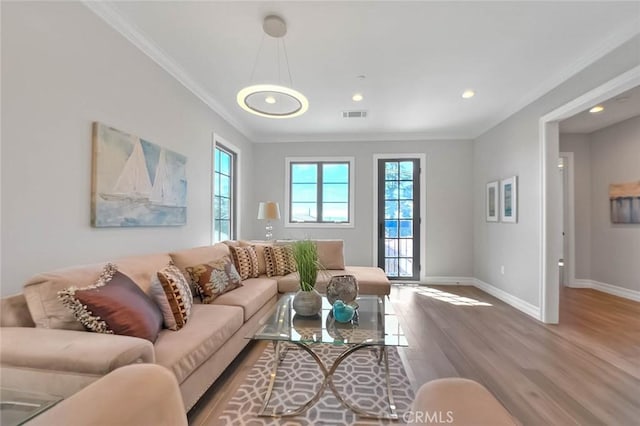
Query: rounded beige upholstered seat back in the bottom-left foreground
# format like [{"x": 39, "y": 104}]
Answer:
[{"x": 138, "y": 395}]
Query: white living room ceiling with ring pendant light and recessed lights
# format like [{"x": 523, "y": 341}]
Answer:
[{"x": 418, "y": 57}]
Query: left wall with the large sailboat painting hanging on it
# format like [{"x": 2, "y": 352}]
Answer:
[{"x": 62, "y": 69}]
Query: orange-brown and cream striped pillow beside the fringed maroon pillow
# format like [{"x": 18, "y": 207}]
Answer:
[{"x": 172, "y": 293}]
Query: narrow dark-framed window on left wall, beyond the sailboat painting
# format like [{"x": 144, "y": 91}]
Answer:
[{"x": 224, "y": 194}]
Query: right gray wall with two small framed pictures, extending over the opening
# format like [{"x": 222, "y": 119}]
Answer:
[{"x": 513, "y": 148}]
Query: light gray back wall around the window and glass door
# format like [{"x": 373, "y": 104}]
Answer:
[{"x": 448, "y": 194}]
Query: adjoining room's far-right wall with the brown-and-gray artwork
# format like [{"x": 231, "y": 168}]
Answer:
[{"x": 615, "y": 248}]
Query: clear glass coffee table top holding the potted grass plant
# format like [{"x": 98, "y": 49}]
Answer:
[{"x": 374, "y": 323}]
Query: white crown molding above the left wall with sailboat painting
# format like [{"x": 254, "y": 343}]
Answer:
[{"x": 109, "y": 14}]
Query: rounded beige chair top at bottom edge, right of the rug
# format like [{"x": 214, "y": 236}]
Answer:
[{"x": 457, "y": 401}]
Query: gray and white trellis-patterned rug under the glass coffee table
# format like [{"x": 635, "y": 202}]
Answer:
[{"x": 359, "y": 379}]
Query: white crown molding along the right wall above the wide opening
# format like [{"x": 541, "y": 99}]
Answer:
[{"x": 609, "y": 44}]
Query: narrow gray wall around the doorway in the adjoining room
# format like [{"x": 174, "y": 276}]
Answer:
[{"x": 581, "y": 148}]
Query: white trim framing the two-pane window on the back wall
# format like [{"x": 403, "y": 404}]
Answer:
[{"x": 287, "y": 184}]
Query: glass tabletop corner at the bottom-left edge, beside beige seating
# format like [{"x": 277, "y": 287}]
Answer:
[{"x": 17, "y": 406}]
